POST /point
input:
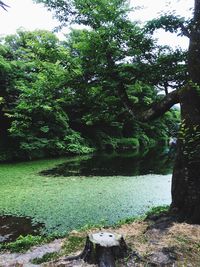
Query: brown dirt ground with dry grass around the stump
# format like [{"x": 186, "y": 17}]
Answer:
[{"x": 158, "y": 241}]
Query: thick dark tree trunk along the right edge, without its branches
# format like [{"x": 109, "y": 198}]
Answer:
[{"x": 186, "y": 175}]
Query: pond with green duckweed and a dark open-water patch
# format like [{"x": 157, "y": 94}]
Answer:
[{"x": 62, "y": 201}]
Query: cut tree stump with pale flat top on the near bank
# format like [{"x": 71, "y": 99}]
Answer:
[{"x": 104, "y": 248}]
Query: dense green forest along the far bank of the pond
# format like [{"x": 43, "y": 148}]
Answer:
[{"x": 67, "y": 97}]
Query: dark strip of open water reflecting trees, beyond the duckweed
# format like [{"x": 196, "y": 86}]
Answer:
[{"x": 154, "y": 161}]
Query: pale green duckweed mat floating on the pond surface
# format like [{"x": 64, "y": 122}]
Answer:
[{"x": 66, "y": 203}]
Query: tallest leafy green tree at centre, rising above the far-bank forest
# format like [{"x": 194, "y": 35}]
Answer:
[{"x": 116, "y": 56}]
